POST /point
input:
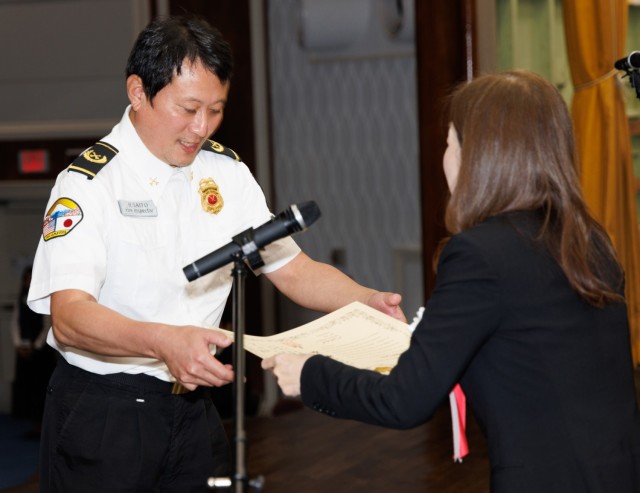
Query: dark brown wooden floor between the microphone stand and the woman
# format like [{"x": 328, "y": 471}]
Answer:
[{"x": 302, "y": 451}]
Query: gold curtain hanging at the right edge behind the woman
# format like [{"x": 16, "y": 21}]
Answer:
[{"x": 595, "y": 35}]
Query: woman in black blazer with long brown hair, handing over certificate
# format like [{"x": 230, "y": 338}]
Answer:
[{"x": 528, "y": 311}]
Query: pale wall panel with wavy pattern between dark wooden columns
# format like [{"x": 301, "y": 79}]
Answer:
[{"x": 345, "y": 134}]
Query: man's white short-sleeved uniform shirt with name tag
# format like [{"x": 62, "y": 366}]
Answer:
[{"x": 125, "y": 236}]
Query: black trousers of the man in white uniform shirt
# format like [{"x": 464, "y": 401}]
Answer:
[{"x": 128, "y": 433}]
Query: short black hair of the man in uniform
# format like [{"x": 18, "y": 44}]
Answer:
[{"x": 164, "y": 44}]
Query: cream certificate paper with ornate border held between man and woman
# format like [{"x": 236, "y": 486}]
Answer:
[{"x": 356, "y": 334}]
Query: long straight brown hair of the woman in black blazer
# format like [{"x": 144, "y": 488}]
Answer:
[{"x": 518, "y": 152}]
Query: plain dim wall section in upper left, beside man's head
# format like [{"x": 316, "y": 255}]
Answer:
[{"x": 64, "y": 65}]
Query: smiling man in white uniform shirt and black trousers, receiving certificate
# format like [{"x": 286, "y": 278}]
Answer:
[{"x": 122, "y": 221}]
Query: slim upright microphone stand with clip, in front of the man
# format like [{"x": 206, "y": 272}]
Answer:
[{"x": 240, "y": 480}]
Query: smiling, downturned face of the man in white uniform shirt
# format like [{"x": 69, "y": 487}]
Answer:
[{"x": 183, "y": 115}]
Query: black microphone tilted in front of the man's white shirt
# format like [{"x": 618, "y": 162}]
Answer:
[{"x": 295, "y": 218}]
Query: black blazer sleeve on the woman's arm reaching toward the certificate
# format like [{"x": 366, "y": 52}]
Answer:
[{"x": 461, "y": 315}]
